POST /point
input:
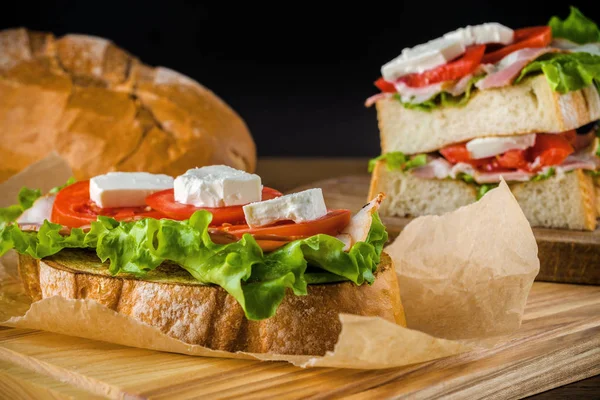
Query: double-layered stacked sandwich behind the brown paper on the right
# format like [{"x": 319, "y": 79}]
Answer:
[{"x": 486, "y": 102}]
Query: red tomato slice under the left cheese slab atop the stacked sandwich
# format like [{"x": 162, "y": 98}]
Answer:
[{"x": 462, "y": 66}]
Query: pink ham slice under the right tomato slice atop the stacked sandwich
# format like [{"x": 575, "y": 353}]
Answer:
[{"x": 510, "y": 67}]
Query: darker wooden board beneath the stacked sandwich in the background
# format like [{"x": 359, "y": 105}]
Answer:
[{"x": 565, "y": 256}]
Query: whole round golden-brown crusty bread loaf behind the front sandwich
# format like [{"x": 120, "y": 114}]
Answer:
[{"x": 103, "y": 110}]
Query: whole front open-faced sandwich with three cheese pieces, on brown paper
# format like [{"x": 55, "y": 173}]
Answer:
[{"x": 211, "y": 257}]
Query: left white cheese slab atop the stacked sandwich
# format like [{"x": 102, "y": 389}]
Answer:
[{"x": 422, "y": 58}]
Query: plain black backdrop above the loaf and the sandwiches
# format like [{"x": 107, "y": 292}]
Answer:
[{"x": 298, "y": 73}]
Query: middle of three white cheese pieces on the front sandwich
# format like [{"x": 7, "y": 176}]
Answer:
[{"x": 217, "y": 186}]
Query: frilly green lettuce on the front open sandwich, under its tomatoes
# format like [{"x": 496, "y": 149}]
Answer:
[{"x": 257, "y": 280}]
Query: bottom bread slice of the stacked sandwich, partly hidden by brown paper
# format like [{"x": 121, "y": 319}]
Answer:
[{"x": 563, "y": 201}]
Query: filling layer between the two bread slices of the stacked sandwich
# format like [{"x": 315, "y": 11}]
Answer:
[{"x": 521, "y": 158}]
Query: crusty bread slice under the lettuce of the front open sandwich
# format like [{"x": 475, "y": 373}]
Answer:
[{"x": 172, "y": 301}]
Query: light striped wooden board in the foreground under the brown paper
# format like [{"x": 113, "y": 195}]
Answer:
[{"x": 558, "y": 343}]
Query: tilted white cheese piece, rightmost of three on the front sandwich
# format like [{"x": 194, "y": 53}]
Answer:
[{"x": 298, "y": 207}]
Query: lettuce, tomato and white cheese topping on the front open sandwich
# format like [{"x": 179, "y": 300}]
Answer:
[{"x": 219, "y": 224}]
